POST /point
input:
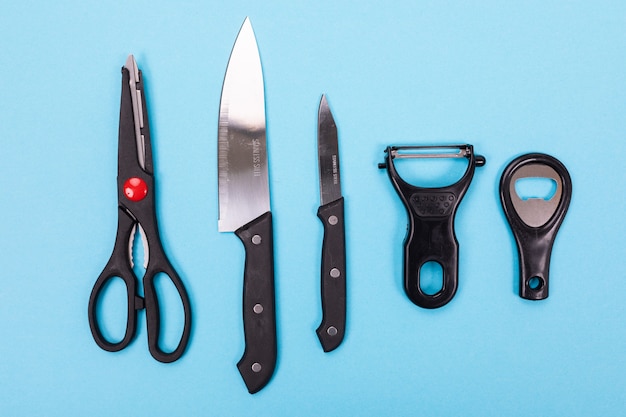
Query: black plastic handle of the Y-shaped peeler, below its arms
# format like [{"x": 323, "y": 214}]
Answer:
[{"x": 430, "y": 239}]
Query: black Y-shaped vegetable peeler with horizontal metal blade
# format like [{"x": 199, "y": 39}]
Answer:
[{"x": 430, "y": 232}]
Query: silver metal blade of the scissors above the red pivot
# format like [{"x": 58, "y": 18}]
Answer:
[{"x": 140, "y": 119}]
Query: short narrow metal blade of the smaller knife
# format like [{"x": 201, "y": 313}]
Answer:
[{"x": 328, "y": 154}]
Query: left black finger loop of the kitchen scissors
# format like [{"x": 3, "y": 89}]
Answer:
[{"x": 134, "y": 303}]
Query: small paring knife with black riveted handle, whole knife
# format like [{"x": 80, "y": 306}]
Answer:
[{"x": 331, "y": 213}]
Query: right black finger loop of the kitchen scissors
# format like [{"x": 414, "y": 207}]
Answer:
[{"x": 153, "y": 317}]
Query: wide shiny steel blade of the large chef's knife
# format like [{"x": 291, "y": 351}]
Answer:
[{"x": 242, "y": 152}]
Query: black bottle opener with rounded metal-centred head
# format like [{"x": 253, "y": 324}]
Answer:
[{"x": 535, "y": 221}]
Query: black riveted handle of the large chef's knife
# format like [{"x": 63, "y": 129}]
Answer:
[{"x": 259, "y": 315}]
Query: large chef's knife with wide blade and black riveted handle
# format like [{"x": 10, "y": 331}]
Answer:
[{"x": 244, "y": 202}]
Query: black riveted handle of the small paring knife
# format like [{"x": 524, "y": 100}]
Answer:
[{"x": 333, "y": 283}]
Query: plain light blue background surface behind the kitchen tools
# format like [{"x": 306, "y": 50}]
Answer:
[{"x": 508, "y": 77}]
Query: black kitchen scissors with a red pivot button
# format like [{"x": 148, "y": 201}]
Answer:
[{"x": 136, "y": 213}]
